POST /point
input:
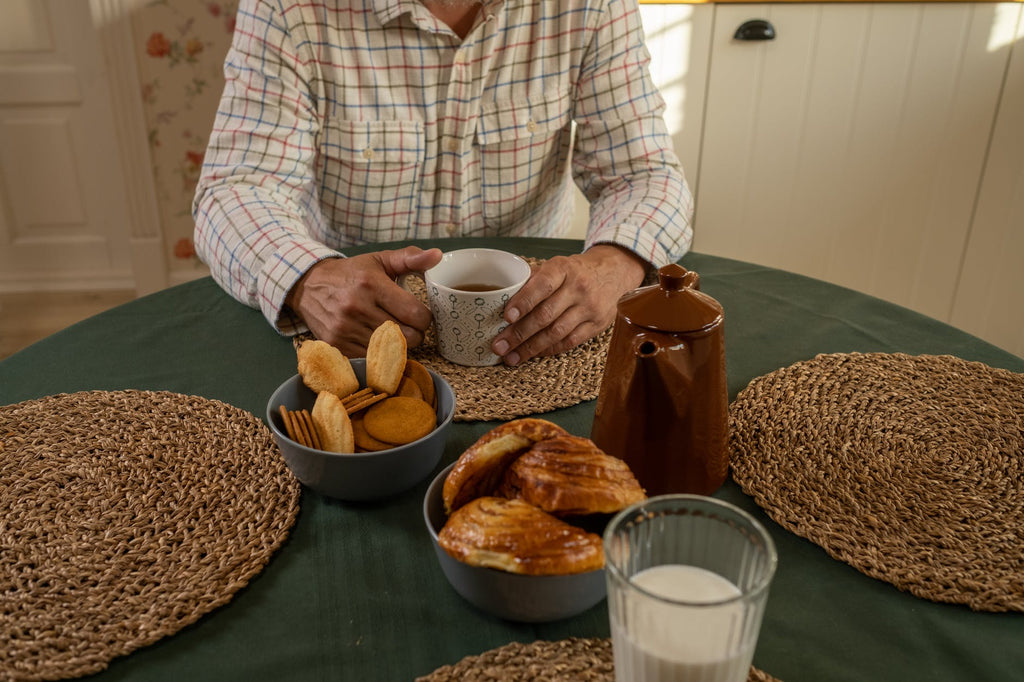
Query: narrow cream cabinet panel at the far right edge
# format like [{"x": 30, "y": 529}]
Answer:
[{"x": 990, "y": 301}]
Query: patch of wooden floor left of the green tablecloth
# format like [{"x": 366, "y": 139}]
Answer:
[{"x": 26, "y": 319}]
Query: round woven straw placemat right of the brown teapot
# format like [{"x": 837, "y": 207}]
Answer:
[{"x": 909, "y": 468}]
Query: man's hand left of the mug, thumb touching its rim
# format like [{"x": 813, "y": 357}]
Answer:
[{"x": 344, "y": 301}]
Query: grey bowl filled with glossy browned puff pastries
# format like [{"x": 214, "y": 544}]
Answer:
[{"x": 517, "y": 522}]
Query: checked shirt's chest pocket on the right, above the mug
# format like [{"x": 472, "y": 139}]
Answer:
[{"x": 525, "y": 146}]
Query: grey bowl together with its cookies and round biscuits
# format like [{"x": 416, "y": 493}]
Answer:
[{"x": 362, "y": 429}]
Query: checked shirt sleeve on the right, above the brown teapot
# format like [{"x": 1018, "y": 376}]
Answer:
[{"x": 623, "y": 160}]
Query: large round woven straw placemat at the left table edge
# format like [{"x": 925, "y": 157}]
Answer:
[{"x": 127, "y": 516}]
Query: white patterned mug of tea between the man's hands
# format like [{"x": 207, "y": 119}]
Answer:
[{"x": 467, "y": 292}]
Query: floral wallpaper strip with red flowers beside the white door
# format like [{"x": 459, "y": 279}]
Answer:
[{"x": 181, "y": 49}]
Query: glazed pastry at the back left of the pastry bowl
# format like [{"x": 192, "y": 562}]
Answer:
[{"x": 480, "y": 471}]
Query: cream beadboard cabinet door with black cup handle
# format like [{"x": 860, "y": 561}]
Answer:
[{"x": 851, "y": 148}]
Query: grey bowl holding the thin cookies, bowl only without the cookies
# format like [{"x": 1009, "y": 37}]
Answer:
[{"x": 360, "y": 477}]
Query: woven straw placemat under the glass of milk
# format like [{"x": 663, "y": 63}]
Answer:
[{"x": 574, "y": 660}]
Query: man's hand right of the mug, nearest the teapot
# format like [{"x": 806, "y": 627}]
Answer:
[{"x": 567, "y": 302}]
